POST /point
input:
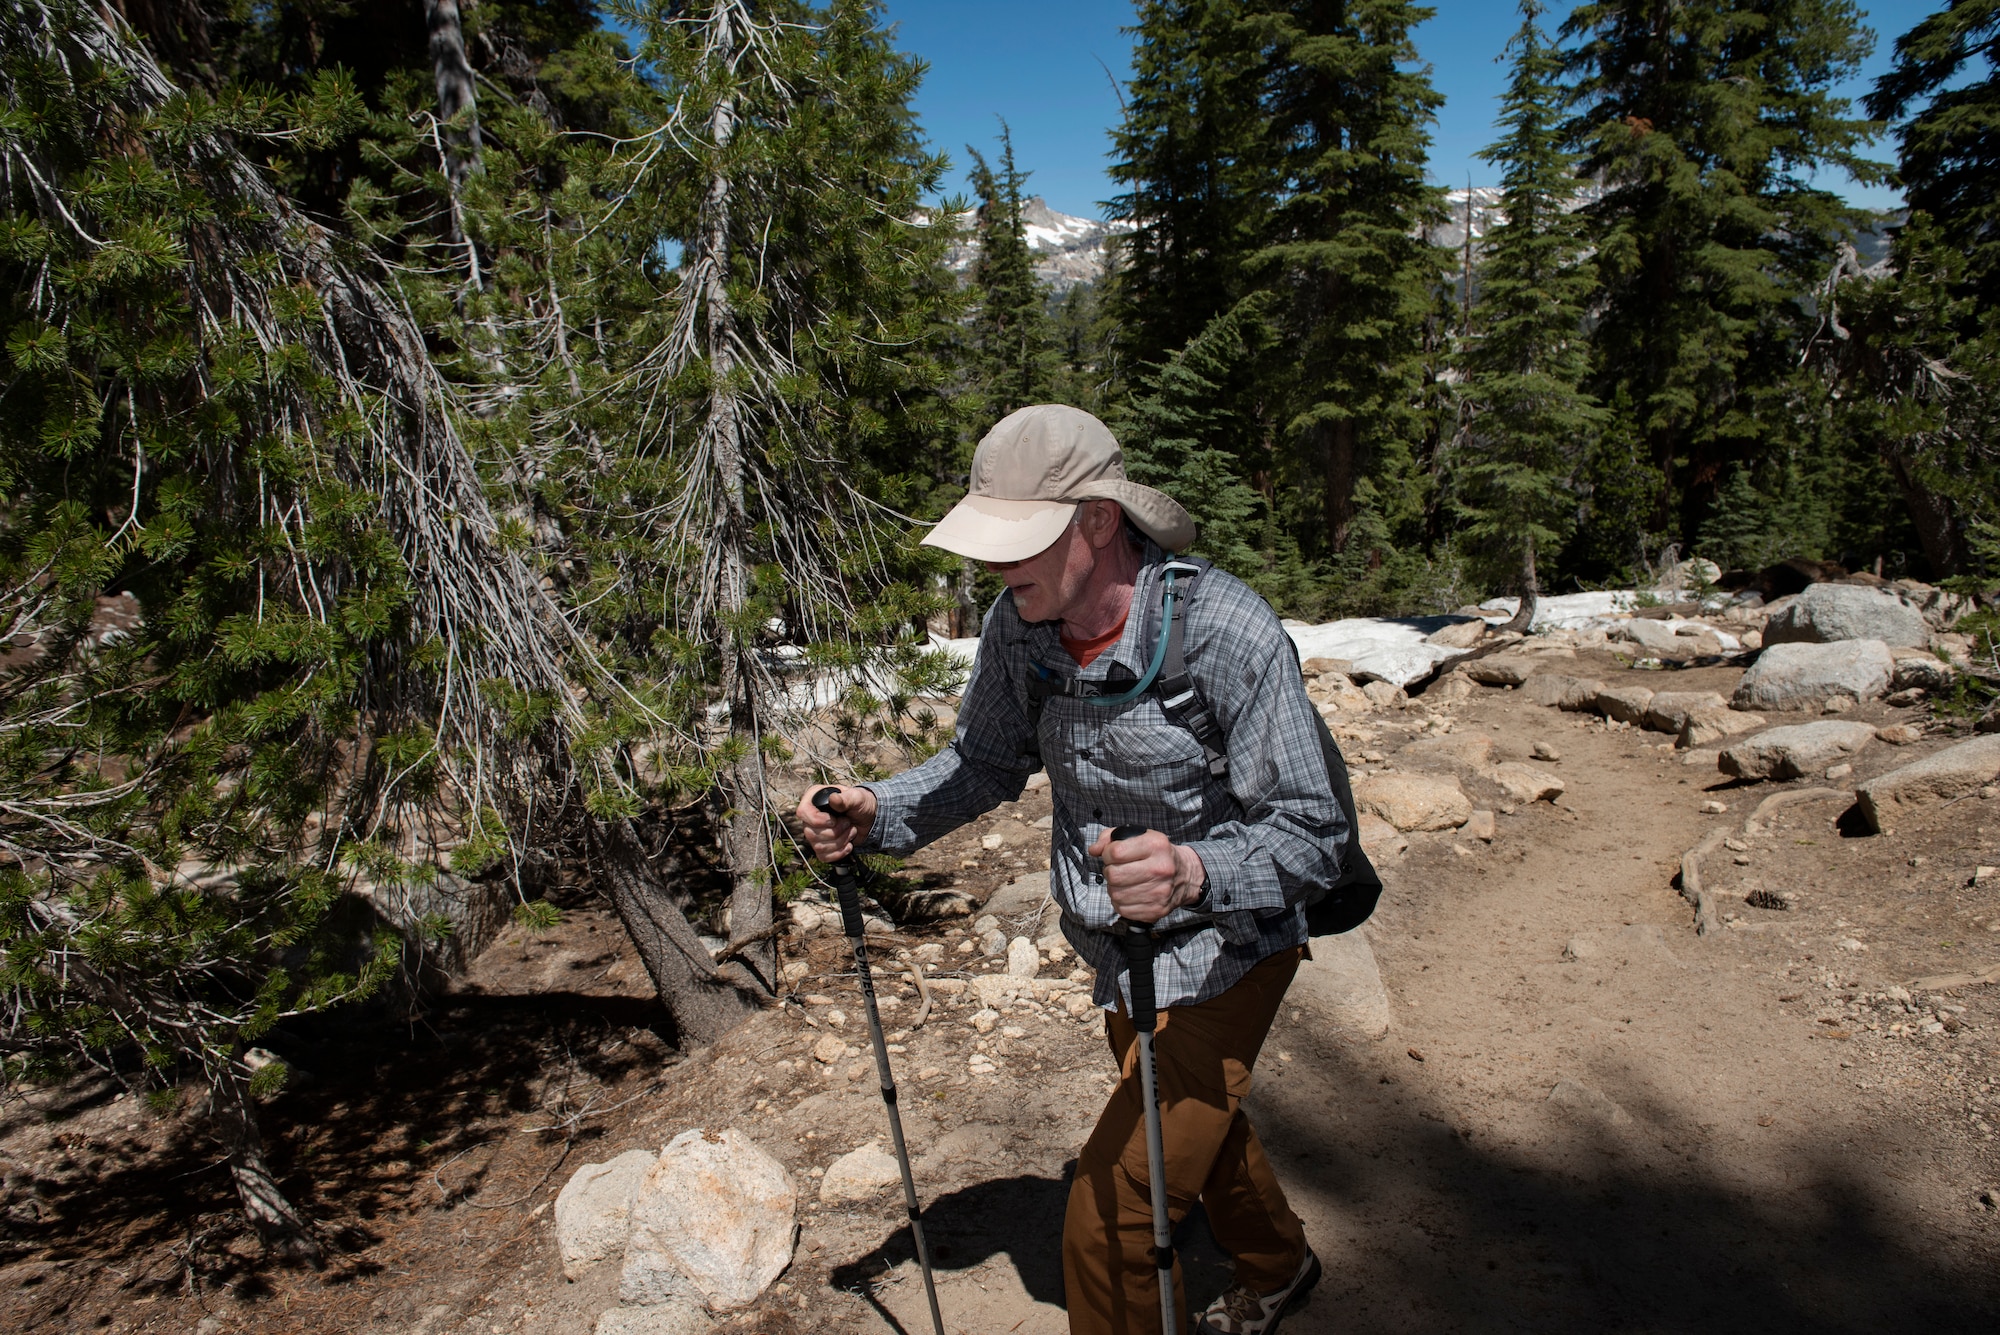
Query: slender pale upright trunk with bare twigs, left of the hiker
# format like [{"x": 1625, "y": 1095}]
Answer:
[{"x": 747, "y": 834}]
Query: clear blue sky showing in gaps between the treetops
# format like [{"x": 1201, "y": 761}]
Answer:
[{"x": 1043, "y": 67}]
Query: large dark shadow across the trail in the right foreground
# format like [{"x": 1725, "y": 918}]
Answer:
[{"x": 1423, "y": 1230}]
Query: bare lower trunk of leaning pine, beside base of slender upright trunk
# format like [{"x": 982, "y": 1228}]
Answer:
[{"x": 705, "y": 1000}]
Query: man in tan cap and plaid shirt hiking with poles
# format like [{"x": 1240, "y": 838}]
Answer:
[{"x": 1167, "y": 706}]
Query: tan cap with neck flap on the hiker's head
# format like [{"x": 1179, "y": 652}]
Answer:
[{"x": 1029, "y": 477}]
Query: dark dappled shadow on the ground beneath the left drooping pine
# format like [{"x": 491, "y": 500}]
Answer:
[{"x": 381, "y": 1122}]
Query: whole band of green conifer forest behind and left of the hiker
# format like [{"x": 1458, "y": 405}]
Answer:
[{"x": 461, "y": 451}]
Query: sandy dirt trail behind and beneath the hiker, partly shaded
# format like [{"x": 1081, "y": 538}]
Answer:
[{"x": 1717, "y": 1158}]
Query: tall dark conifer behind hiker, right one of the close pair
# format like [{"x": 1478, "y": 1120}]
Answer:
[{"x": 1349, "y": 109}]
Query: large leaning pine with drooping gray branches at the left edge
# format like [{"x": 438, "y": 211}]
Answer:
[{"x": 337, "y": 674}]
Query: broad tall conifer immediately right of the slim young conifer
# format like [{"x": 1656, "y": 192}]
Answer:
[{"x": 1707, "y": 123}]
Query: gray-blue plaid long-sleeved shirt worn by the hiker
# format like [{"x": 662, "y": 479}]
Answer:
[{"x": 1267, "y": 834}]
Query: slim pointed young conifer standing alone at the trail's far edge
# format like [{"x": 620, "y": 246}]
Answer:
[{"x": 1529, "y": 423}]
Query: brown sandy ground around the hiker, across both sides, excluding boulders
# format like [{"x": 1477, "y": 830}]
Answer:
[{"x": 1749, "y": 1130}]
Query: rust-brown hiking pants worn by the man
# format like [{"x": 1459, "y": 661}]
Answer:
[{"x": 1205, "y": 1056}]
